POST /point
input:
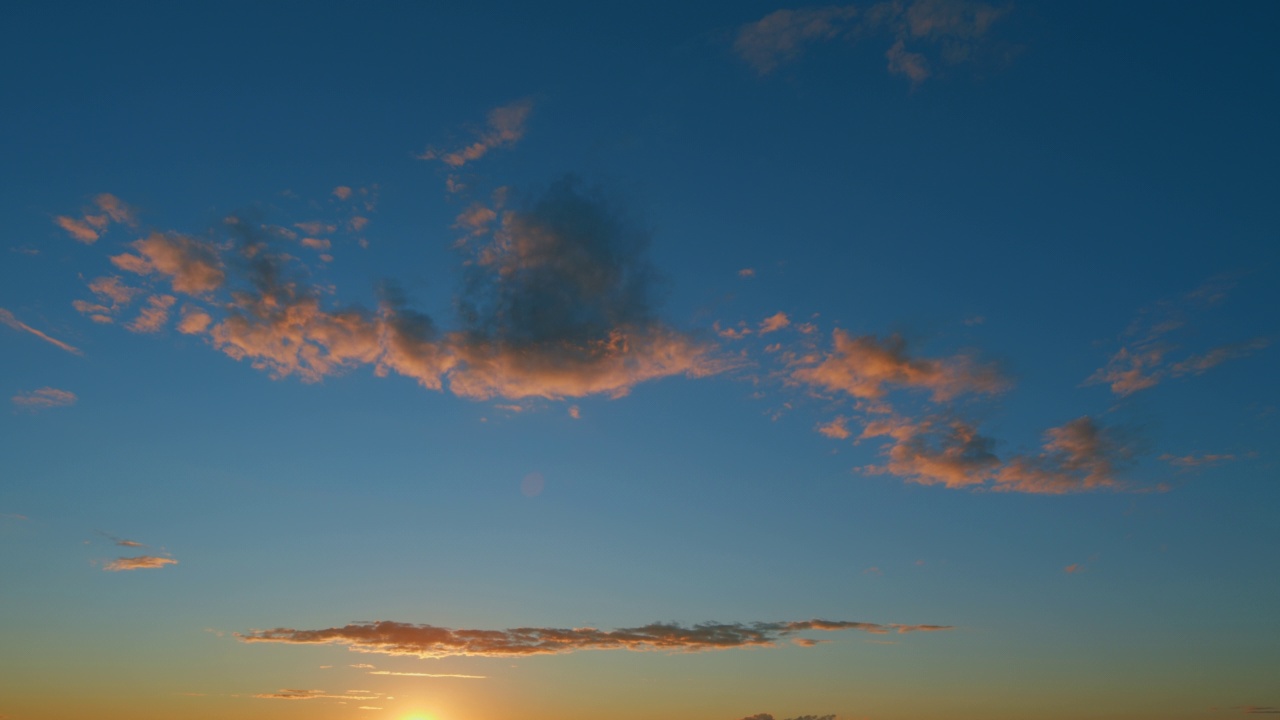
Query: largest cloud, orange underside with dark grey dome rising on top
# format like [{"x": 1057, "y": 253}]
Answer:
[{"x": 556, "y": 303}]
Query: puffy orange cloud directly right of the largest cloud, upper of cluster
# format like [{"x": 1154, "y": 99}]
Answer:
[{"x": 866, "y": 368}]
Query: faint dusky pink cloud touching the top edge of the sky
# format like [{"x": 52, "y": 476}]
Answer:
[{"x": 949, "y": 30}]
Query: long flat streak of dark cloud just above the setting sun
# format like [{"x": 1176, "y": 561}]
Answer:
[{"x": 429, "y": 641}]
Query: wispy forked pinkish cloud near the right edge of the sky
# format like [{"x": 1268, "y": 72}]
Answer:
[{"x": 1146, "y": 359}]
